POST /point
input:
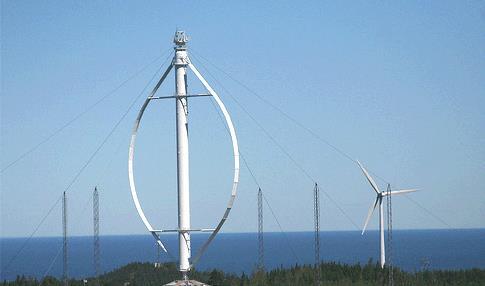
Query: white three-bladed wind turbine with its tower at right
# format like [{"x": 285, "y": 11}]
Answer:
[{"x": 378, "y": 200}]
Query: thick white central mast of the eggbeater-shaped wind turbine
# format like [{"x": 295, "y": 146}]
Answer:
[{"x": 180, "y": 63}]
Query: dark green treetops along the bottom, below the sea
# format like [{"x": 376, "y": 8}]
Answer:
[{"x": 137, "y": 274}]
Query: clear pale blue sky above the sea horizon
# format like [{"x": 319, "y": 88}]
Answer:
[{"x": 399, "y": 86}]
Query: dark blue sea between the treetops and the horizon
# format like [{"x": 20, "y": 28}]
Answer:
[{"x": 237, "y": 252}]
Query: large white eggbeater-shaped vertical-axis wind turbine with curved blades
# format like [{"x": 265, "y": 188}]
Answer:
[{"x": 180, "y": 63}]
